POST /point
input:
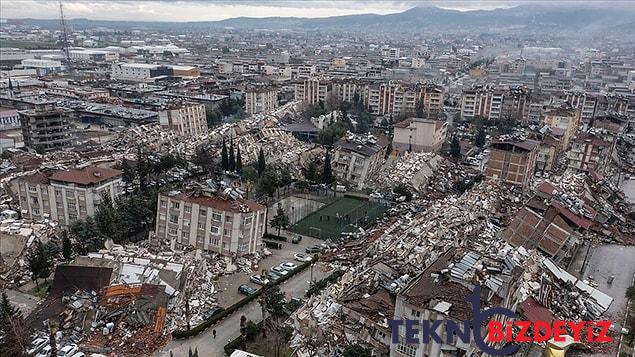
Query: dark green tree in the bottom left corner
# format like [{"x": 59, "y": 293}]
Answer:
[{"x": 16, "y": 334}]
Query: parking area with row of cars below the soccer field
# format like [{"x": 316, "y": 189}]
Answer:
[{"x": 228, "y": 285}]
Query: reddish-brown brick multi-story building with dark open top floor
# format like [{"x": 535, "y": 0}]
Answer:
[{"x": 512, "y": 162}]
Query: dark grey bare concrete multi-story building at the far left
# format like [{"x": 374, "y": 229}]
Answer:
[{"x": 45, "y": 128}]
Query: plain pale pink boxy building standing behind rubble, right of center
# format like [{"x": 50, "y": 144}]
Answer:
[{"x": 419, "y": 135}]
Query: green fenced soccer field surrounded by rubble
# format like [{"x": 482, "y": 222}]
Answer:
[{"x": 343, "y": 215}]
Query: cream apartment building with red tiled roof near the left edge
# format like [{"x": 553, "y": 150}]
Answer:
[{"x": 65, "y": 196}]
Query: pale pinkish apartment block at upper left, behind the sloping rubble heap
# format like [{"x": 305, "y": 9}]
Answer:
[{"x": 187, "y": 119}]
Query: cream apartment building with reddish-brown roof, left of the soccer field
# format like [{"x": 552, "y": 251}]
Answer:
[{"x": 229, "y": 226}]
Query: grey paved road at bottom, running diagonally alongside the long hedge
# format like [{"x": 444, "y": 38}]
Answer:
[{"x": 229, "y": 328}]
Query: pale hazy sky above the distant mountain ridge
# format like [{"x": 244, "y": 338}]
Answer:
[{"x": 157, "y": 10}]
